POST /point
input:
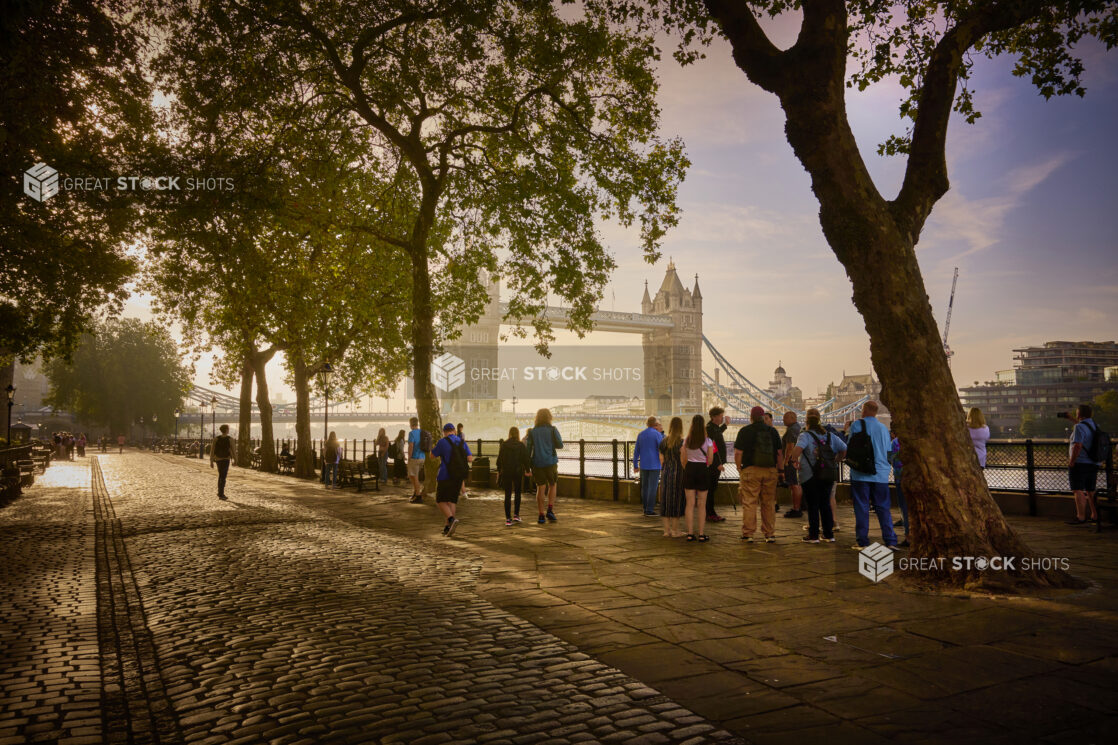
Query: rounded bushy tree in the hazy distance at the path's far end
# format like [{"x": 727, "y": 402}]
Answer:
[{"x": 124, "y": 372}]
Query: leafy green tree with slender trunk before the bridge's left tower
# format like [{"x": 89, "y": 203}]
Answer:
[{"x": 515, "y": 126}]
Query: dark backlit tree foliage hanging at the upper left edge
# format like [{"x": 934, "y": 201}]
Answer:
[{"x": 74, "y": 98}]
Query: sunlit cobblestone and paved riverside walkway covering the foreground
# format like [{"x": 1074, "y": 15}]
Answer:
[{"x": 149, "y": 611}]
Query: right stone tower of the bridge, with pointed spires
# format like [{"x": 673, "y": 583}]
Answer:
[{"x": 674, "y": 357}]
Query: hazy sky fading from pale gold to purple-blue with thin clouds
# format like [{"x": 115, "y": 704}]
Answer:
[{"x": 1030, "y": 221}]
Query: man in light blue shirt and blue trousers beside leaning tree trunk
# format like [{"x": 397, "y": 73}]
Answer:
[{"x": 868, "y": 456}]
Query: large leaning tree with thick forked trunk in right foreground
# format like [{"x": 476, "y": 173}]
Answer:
[{"x": 928, "y": 46}]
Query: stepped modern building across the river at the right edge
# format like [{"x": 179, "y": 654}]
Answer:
[{"x": 1046, "y": 381}]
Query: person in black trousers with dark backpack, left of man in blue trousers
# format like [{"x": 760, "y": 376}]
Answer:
[{"x": 817, "y": 456}]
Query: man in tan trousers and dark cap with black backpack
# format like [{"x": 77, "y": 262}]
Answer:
[{"x": 760, "y": 458}]
